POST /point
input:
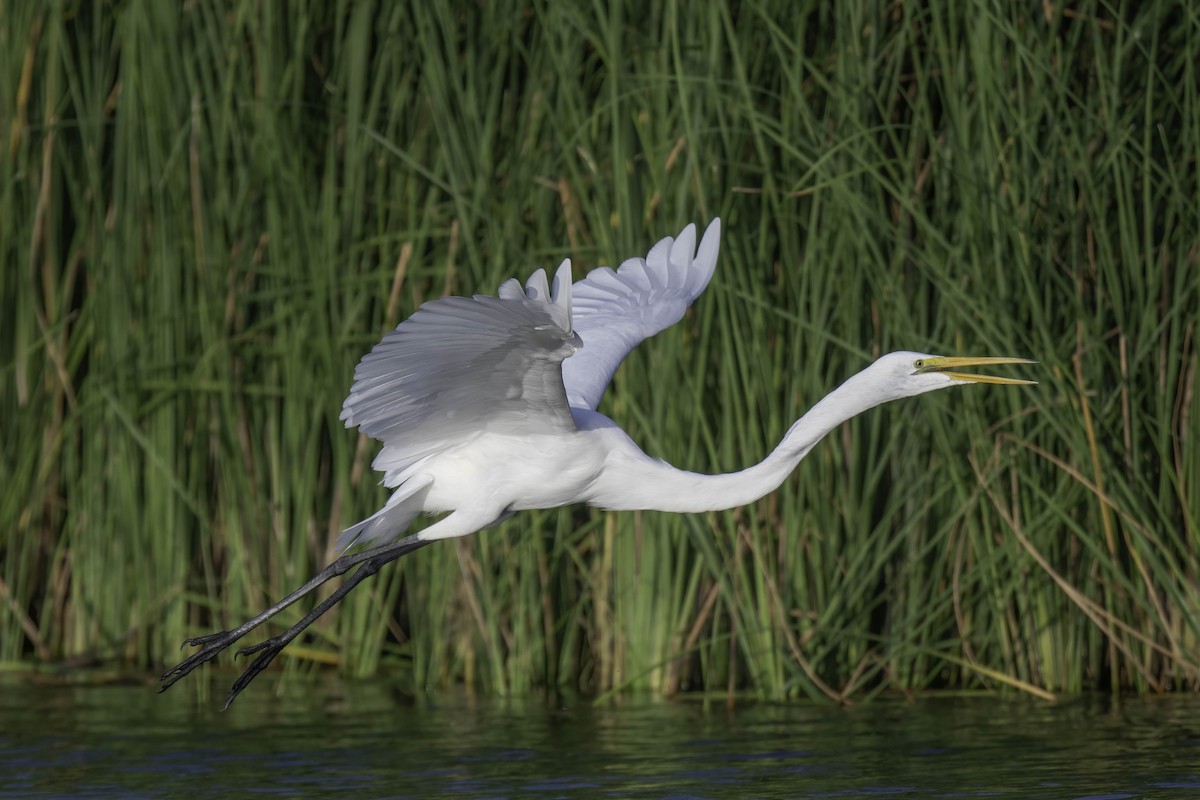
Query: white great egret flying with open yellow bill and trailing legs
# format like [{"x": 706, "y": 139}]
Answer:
[{"x": 488, "y": 406}]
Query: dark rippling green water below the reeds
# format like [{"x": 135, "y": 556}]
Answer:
[{"x": 367, "y": 742}]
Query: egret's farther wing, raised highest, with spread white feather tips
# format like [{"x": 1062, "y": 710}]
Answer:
[{"x": 614, "y": 312}]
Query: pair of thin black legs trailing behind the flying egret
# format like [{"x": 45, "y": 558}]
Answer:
[{"x": 215, "y": 643}]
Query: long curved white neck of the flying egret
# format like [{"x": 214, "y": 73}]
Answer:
[{"x": 633, "y": 480}]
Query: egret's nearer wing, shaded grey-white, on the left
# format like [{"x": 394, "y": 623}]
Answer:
[{"x": 461, "y": 366}]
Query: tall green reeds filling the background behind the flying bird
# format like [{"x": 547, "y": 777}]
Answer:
[{"x": 211, "y": 213}]
